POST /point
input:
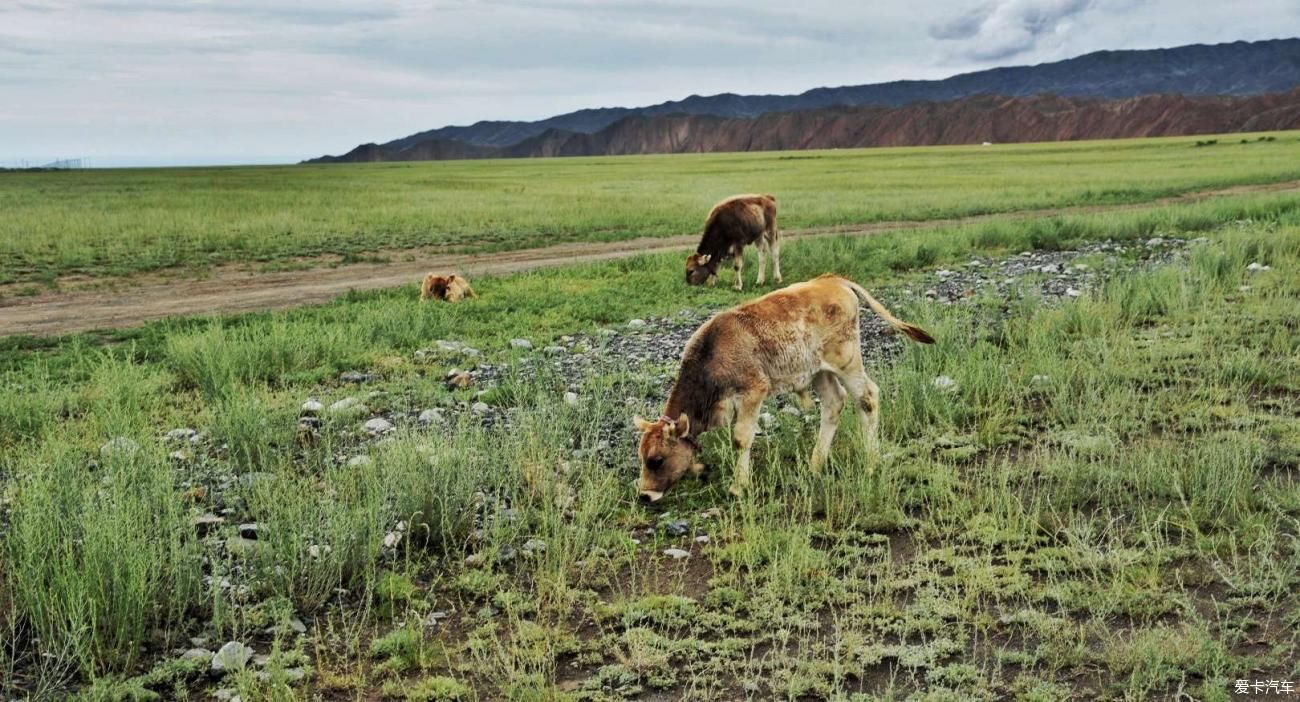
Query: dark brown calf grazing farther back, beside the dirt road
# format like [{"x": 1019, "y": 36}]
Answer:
[{"x": 733, "y": 226}]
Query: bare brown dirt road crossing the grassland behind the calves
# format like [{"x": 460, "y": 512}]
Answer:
[{"x": 229, "y": 292}]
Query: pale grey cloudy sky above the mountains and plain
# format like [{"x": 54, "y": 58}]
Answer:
[{"x": 131, "y": 83}]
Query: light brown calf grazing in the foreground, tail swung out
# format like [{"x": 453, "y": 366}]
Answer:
[{"x": 788, "y": 341}]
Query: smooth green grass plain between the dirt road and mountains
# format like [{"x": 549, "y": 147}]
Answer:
[{"x": 101, "y": 223}]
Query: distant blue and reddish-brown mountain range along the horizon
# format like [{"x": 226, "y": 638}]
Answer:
[{"x": 1080, "y": 98}]
